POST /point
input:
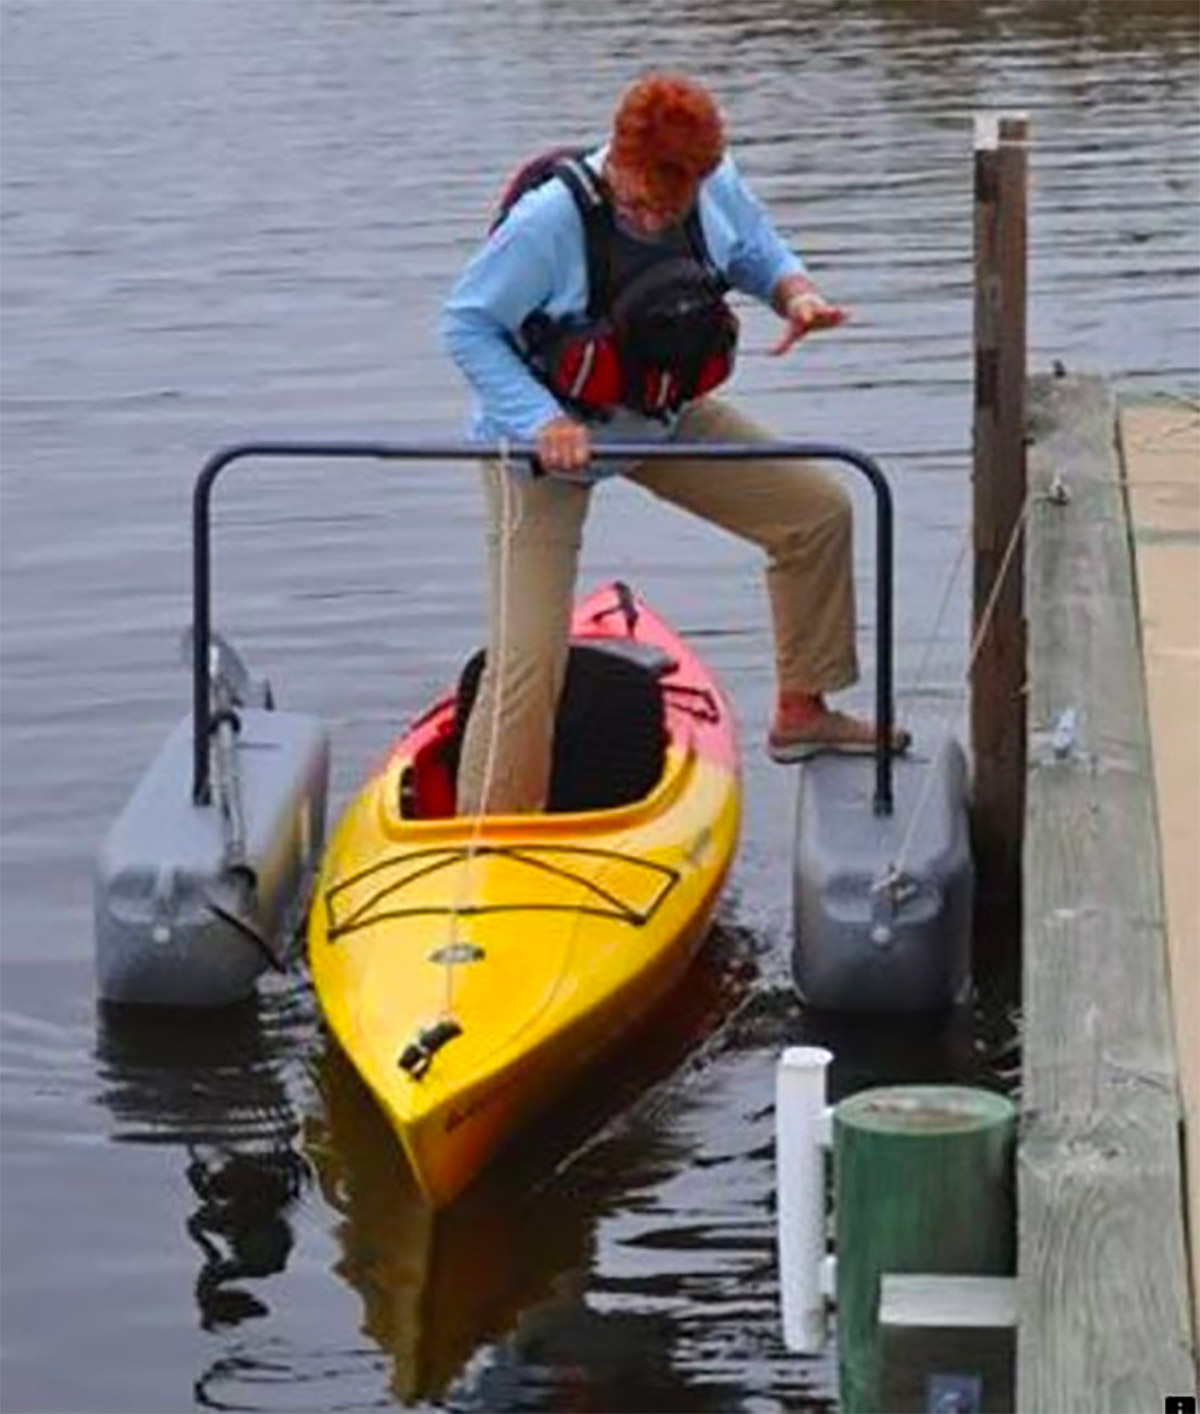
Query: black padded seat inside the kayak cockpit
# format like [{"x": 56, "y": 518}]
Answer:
[{"x": 611, "y": 733}]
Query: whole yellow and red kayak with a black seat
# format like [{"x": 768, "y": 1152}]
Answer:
[{"x": 471, "y": 969}]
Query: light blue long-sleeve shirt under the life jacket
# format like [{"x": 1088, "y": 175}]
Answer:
[{"x": 538, "y": 261}]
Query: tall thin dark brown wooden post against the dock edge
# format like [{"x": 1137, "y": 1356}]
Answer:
[{"x": 999, "y": 493}]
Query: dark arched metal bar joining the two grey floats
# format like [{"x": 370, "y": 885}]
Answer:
[{"x": 488, "y": 452}]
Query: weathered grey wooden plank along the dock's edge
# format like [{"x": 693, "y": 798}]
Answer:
[{"x": 1103, "y": 1290}]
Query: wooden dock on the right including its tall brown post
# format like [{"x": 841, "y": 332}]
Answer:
[{"x": 1086, "y": 836}]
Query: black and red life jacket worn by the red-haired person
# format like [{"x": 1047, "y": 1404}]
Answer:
[{"x": 658, "y": 330}]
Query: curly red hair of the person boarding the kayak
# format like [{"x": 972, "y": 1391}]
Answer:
[{"x": 669, "y": 131}]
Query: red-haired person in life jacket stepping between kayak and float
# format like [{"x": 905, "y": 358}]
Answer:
[{"x": 662, "y": 221}]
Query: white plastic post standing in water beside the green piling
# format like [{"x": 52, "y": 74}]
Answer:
[{"x": 801, "y": 1188}]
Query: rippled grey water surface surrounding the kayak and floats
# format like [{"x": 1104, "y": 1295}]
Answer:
[{"x": 225, "y": 218}]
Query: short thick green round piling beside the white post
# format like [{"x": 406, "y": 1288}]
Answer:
[{"x": 922, "y": 1184}]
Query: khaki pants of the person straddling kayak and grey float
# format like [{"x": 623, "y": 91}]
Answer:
[{"x": 798, "y": 514}]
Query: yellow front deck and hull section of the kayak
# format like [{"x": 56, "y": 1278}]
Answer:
[{"x": 473, "y": 969}]
